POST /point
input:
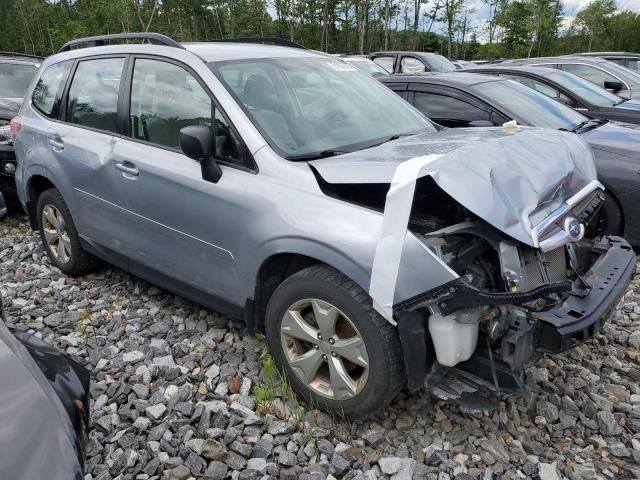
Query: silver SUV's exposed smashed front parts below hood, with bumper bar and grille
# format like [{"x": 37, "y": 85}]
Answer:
[{"x": 511, "y": 302}]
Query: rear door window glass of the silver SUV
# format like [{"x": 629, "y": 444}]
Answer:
[{"x": 93, "y": 95}]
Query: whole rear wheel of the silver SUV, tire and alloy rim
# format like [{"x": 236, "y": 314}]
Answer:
[{"x": 60, "y": 237}]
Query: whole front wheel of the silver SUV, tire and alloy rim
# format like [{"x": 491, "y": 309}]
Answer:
[{"x": 336, "y": 351}]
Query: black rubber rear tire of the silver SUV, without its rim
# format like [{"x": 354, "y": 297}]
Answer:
[{"x": 80, "y": 262}]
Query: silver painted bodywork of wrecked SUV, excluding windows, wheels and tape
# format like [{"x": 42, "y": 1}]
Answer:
[{"x": 215, "y": 237}]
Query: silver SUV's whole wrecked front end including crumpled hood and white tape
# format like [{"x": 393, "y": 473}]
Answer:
[{"x": 512, "y": 219}]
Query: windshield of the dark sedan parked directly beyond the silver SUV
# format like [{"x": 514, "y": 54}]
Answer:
[{"x": 529, "y": 106}]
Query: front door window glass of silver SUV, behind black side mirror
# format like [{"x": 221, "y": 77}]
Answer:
[{"x": 164, "y": 99}]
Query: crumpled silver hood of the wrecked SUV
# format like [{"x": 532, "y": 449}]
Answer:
[{"x": 511, "y": 178}]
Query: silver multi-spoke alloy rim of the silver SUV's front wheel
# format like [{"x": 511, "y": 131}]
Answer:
[{"x": 324, "y": 349}]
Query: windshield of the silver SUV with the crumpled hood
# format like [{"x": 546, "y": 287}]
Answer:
[{"x": 305, "y": 106}]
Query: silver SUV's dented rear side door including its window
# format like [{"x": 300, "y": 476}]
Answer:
[{"x": 83, "y": 142}]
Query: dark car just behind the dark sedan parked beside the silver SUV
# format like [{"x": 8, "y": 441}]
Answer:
[{"x": 573, "y": 91}]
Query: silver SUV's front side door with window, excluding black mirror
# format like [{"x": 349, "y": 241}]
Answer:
[{"x": 187, "y": 233}]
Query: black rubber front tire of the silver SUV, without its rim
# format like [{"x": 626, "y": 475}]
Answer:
[{"x": 386, "y": 375}]
